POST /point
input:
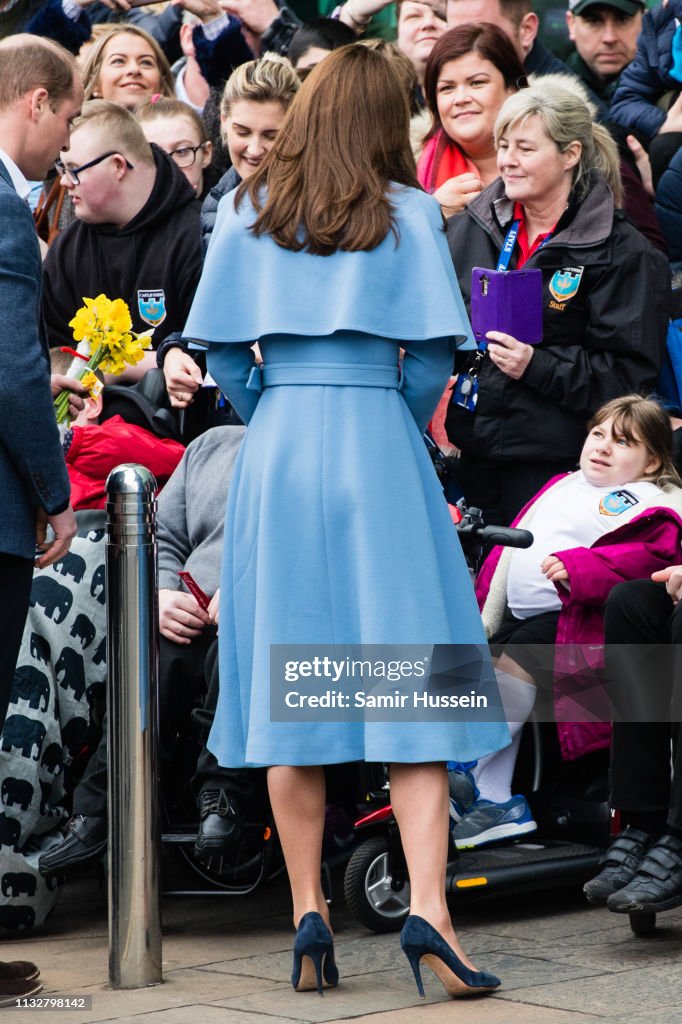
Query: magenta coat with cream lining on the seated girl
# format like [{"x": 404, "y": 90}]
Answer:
[{"x": 651, "y": 541}]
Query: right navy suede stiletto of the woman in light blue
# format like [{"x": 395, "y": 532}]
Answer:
[{"x": 420, "y": 942}]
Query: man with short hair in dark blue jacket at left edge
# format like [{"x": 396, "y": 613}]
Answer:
[{"x": 40, "y": 95}]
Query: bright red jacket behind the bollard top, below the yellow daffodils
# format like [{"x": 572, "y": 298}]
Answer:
[{"x": 96, "y": 451}]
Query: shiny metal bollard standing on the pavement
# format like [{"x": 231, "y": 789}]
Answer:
[{"x": 133, "y": 702}]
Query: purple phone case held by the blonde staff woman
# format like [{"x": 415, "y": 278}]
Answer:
[{"x": 507, "y": 301}]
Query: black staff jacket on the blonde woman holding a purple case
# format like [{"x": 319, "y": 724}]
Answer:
[{"x": 605, "y": 342}]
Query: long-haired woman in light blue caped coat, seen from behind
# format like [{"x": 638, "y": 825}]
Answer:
[{"x": 337, "y": 533}]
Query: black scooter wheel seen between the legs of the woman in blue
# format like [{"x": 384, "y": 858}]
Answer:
[{"x": 368, "y": 888}]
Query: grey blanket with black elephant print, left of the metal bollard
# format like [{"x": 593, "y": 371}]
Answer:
[{"x": 60, "y": 680}]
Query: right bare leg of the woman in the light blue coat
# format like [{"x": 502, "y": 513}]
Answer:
[{"x": 420, "y": 801}]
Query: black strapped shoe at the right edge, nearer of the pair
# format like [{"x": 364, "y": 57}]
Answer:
[{"x": 658, "y": 884}]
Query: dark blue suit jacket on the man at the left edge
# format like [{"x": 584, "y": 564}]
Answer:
[{"x": 33, "y": 472}]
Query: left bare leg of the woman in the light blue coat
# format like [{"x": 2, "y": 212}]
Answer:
[{"x": 297, "y": 797}]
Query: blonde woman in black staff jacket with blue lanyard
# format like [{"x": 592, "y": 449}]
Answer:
[{"x": 606, "y": 298}]
